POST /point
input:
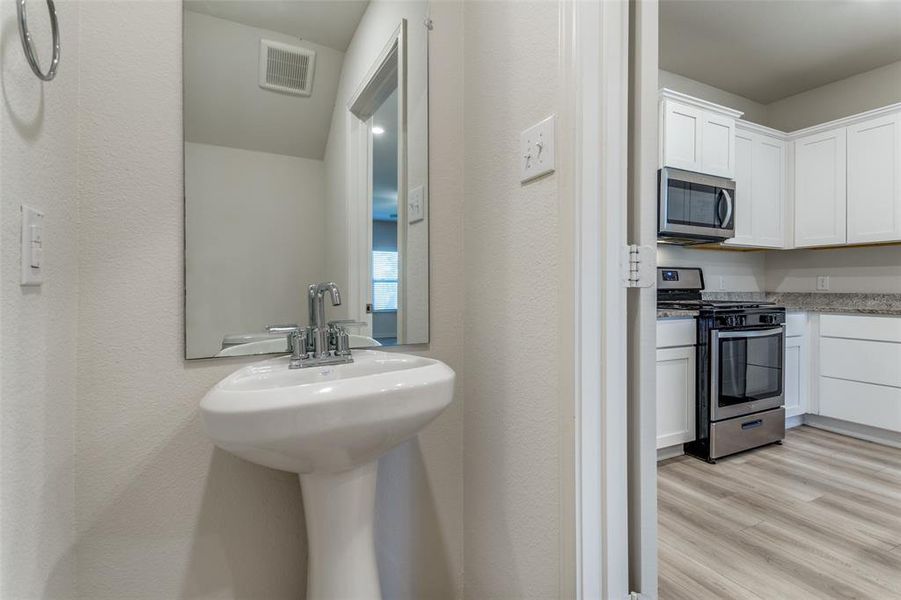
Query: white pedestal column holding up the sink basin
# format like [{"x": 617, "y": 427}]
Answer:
[{"x": 339, "y": 509}]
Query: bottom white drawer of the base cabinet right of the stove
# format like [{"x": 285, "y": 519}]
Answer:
[{"x": 867, "y": 404}]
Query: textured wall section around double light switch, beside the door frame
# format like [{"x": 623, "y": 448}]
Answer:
[{"x": 513, "y": 297}]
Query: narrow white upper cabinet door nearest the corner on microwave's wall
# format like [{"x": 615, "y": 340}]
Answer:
[{"x": 768, "y": 214}]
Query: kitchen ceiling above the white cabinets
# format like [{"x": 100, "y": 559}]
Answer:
[{"x": 766, "y": 50}]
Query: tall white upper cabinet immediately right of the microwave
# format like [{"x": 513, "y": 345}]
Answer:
[{"x": 760, "y": 188}]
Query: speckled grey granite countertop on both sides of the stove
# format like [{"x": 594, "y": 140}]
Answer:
[{"x": 820, "y": 302}]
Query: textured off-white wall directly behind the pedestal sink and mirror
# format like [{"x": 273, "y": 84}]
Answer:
[{"x": 161, "y": 514}]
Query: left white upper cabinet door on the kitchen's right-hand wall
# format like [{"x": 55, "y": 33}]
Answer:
[{"x": 820, "y": 198}]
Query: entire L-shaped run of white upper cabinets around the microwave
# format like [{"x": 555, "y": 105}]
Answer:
[{"x": 833, "y": 184}]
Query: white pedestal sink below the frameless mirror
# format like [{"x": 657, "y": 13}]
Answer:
[{"x": 330, "y": 425}]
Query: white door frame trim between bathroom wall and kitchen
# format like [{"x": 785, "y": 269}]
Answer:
[{"x": 596, "y": 47}]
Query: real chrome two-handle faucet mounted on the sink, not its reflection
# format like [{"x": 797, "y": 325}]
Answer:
[{"x": 320, "y": 343}]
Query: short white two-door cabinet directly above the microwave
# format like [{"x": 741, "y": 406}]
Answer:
[{"x": 697, "y": 135}]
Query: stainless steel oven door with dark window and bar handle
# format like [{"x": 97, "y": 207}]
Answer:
[{"x": 747, "y": 371}]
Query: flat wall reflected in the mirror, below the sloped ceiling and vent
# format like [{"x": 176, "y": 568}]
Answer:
[{"x": 254, "y": 224}]
